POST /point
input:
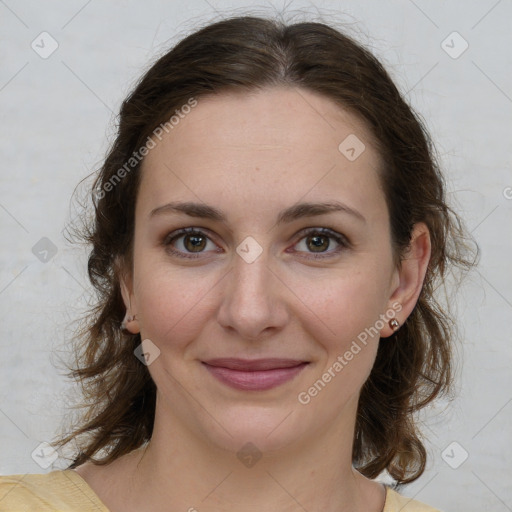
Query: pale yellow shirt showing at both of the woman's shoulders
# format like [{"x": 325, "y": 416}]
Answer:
[{"x": 66, "y": 491}]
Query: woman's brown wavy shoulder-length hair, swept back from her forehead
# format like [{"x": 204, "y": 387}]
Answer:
[{"x": 244, "y": 53}]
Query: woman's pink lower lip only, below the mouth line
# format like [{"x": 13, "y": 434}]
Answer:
[{"x": 255, "y": 380}]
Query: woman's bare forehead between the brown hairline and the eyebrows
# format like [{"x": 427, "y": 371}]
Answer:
[{"x": 262, "y": 150}]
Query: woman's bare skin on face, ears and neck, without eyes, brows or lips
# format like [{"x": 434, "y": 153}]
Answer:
[{"x": 252, "y": 155}]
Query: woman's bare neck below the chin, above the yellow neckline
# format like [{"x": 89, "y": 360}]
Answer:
[{"x": 179, "y": 470}]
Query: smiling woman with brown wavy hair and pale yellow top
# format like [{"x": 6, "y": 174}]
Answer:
[{"x": 270, "y": 225}]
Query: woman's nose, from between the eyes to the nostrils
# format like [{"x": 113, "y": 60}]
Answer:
[{"x": 253, "y": 301}]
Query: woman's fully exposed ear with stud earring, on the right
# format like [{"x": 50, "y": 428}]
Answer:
[{"x": 407, "y": 280}]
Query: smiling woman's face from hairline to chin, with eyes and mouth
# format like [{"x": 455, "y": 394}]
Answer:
[{"x": 308, "y": 286}]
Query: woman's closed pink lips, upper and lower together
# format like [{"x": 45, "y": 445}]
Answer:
[{"x": 256, "y": 374}]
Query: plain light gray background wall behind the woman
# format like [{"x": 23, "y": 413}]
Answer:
[{"x": 56, "y": 124}]
